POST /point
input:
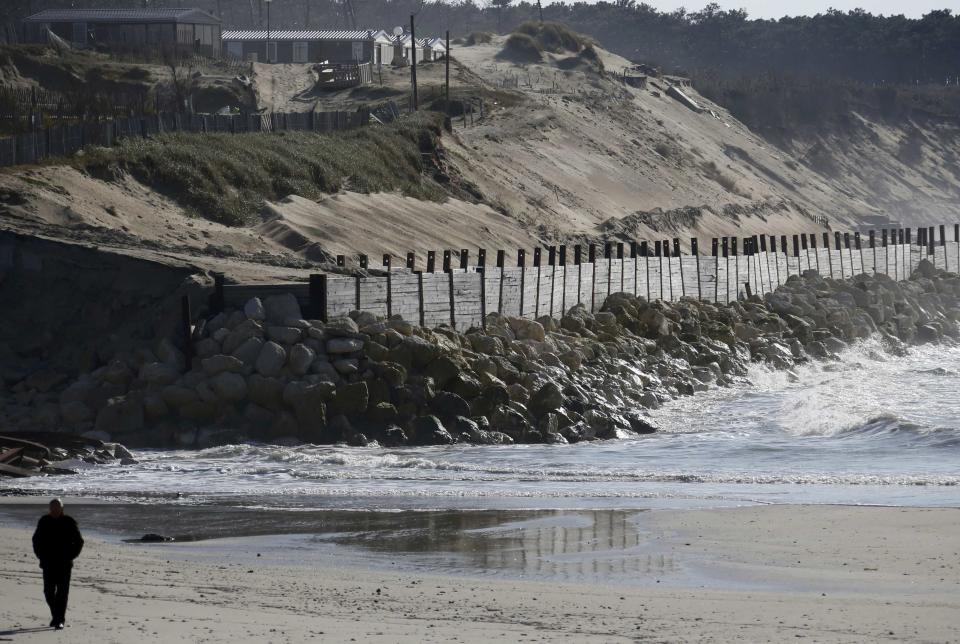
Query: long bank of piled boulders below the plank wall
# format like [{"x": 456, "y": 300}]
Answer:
[{"x": 265, "y": 373}]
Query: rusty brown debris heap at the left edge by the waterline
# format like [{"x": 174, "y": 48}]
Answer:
[{"x": 25, "y": 454}]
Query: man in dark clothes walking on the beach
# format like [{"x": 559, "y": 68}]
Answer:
[{"x": 57, "y": 542}]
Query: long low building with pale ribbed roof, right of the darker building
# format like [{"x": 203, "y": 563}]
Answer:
[{"x": 288, "y": 46}]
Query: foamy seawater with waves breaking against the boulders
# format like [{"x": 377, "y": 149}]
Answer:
[{"x": 870, "y": 428}]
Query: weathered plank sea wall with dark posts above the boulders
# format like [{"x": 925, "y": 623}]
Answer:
[{"x": 461, "y": 296}]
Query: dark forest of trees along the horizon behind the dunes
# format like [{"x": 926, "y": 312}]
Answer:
[{"x": 854, "y": 45}]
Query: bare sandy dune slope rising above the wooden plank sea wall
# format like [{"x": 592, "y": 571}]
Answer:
[{"x": 562, "y": 154}]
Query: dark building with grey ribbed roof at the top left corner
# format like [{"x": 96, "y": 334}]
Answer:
[{"x": 181, "y": 31}]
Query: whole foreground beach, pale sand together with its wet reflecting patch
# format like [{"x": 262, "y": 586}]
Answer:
[{"x": 767, "y": 573}]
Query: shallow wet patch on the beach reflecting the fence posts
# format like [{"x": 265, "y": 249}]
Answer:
[{"x": 562, "y": 545}]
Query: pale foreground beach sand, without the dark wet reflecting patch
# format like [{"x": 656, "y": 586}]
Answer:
[{"x": 758, "y": 574}]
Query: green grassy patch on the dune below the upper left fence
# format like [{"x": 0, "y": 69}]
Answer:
[{"x": 227, "y": 177}]
